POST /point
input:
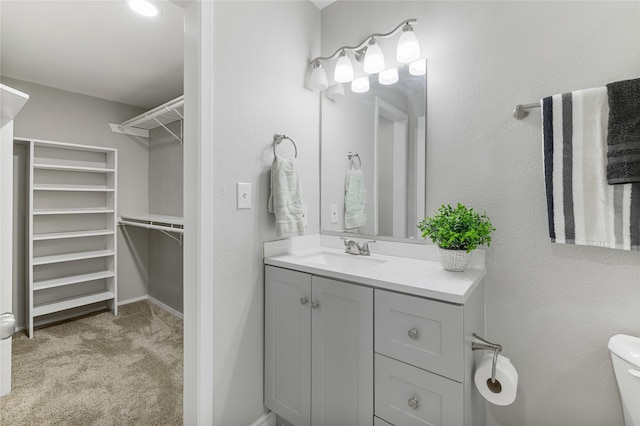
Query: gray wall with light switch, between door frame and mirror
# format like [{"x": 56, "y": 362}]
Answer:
[{"x": 258, "y": 90}]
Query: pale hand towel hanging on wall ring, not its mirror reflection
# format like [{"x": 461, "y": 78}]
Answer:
[{"x": 285, "y": 198}]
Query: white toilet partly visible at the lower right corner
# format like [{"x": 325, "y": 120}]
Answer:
[{"x": 625, "y": 354}]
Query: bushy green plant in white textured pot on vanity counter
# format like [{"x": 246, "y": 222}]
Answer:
[{"x": 457, "y": 231}]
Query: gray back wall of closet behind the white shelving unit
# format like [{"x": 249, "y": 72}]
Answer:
[{"x": 57, "y": 115}]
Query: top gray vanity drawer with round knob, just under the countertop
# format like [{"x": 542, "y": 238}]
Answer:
[{"x": 420, "y": 332}]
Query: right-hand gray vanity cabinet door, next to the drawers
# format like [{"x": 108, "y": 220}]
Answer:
[{"x": 342, "y": 354}]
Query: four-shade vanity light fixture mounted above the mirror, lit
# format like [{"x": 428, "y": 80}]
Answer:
[{"x": 370, "y": 52}]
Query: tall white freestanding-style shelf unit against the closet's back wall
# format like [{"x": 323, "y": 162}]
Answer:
[{"x": 72, "y": 245}]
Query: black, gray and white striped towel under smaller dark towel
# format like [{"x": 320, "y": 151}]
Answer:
[{"x": 582, "y": 208}]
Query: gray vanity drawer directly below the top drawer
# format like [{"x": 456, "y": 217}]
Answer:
[{"x": 406, "y": 395}]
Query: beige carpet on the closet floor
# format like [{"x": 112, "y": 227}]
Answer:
[{"x": 99, "y": 370}]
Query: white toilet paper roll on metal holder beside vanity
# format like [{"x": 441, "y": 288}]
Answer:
[{"x": 506, "y": 375}]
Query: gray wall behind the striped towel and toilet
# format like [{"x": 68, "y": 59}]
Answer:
[{"x": 552, "y": 307}]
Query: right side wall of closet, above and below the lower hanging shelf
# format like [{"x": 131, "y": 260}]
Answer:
[{"x": 165, "y": 197}]
